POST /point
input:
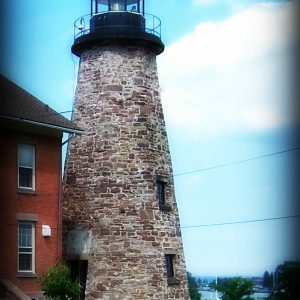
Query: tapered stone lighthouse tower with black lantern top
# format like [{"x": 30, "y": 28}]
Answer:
[{"x": 121, "y": 225}]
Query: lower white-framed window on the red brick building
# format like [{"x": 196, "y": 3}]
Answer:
[{"x": 26, "y": 245}]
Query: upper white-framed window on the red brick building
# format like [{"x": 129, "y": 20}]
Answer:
[{"x": 26, "y": 166}]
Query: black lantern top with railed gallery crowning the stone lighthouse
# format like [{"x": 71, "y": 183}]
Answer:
[{"x": 117, "y": 22}]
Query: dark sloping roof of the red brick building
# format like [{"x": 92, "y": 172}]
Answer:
[{"x": 17, "y": 104}]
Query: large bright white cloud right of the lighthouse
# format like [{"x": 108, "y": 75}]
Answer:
[{"x": 230, "y": 76}]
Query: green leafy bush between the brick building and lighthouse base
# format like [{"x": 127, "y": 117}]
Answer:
[{"x": 57, "y": 283}]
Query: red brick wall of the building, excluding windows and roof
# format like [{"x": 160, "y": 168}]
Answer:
[{"x": 43, "y": 205}]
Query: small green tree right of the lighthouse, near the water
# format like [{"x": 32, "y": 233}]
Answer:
[{"x": 236, "y": 289}]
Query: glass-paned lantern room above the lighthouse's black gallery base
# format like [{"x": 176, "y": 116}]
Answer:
[{"x": 100, "y": 6}]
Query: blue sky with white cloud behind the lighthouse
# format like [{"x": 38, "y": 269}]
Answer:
[{"x": 228, "y": 88}]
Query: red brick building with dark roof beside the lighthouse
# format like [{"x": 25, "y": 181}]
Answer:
[{"x": 30, "y": 199}]
